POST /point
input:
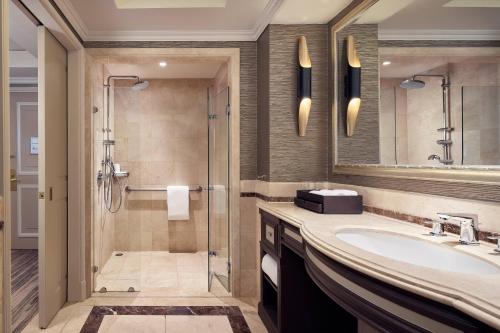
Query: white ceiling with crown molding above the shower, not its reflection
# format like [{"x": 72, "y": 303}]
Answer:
[{"x": 238, "y": 20}]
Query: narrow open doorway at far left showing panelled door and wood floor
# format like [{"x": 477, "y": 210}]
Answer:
[{"x": 23, "y": 95}]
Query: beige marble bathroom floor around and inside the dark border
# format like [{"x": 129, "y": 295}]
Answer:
[{"x": 72, "y": 317}]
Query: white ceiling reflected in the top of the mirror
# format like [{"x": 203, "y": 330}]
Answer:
[{"x": 435, "y": 19}]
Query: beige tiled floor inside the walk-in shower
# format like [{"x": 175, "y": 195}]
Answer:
[{"x": 158, "y": 272}]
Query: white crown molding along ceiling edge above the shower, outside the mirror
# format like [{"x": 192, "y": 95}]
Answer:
[{"x": 169, "y": 35}]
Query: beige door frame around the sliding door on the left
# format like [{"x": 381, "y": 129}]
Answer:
[{"x": 51, "y": 19}]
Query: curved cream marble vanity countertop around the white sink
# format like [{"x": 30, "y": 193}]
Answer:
[{"x": 475, "y": 295}]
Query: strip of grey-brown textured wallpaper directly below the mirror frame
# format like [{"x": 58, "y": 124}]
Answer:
[{"x": 460, "y": 190}]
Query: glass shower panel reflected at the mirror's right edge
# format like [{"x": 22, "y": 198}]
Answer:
[{"x": 480, "y": 130}]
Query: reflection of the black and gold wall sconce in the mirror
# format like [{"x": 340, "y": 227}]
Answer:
[{"x": 352, "y": 86}]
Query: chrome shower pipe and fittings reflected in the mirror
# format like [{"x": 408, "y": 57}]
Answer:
[{"x": 446, "y": 141}]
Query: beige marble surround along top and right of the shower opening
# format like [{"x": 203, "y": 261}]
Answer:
[{"x": 232, "y": 57}]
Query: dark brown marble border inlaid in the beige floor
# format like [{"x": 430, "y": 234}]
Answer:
[{"x": 233, "y": 313}]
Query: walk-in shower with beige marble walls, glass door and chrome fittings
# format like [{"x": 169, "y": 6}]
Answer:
[{"x": 147, "y": 137}]
